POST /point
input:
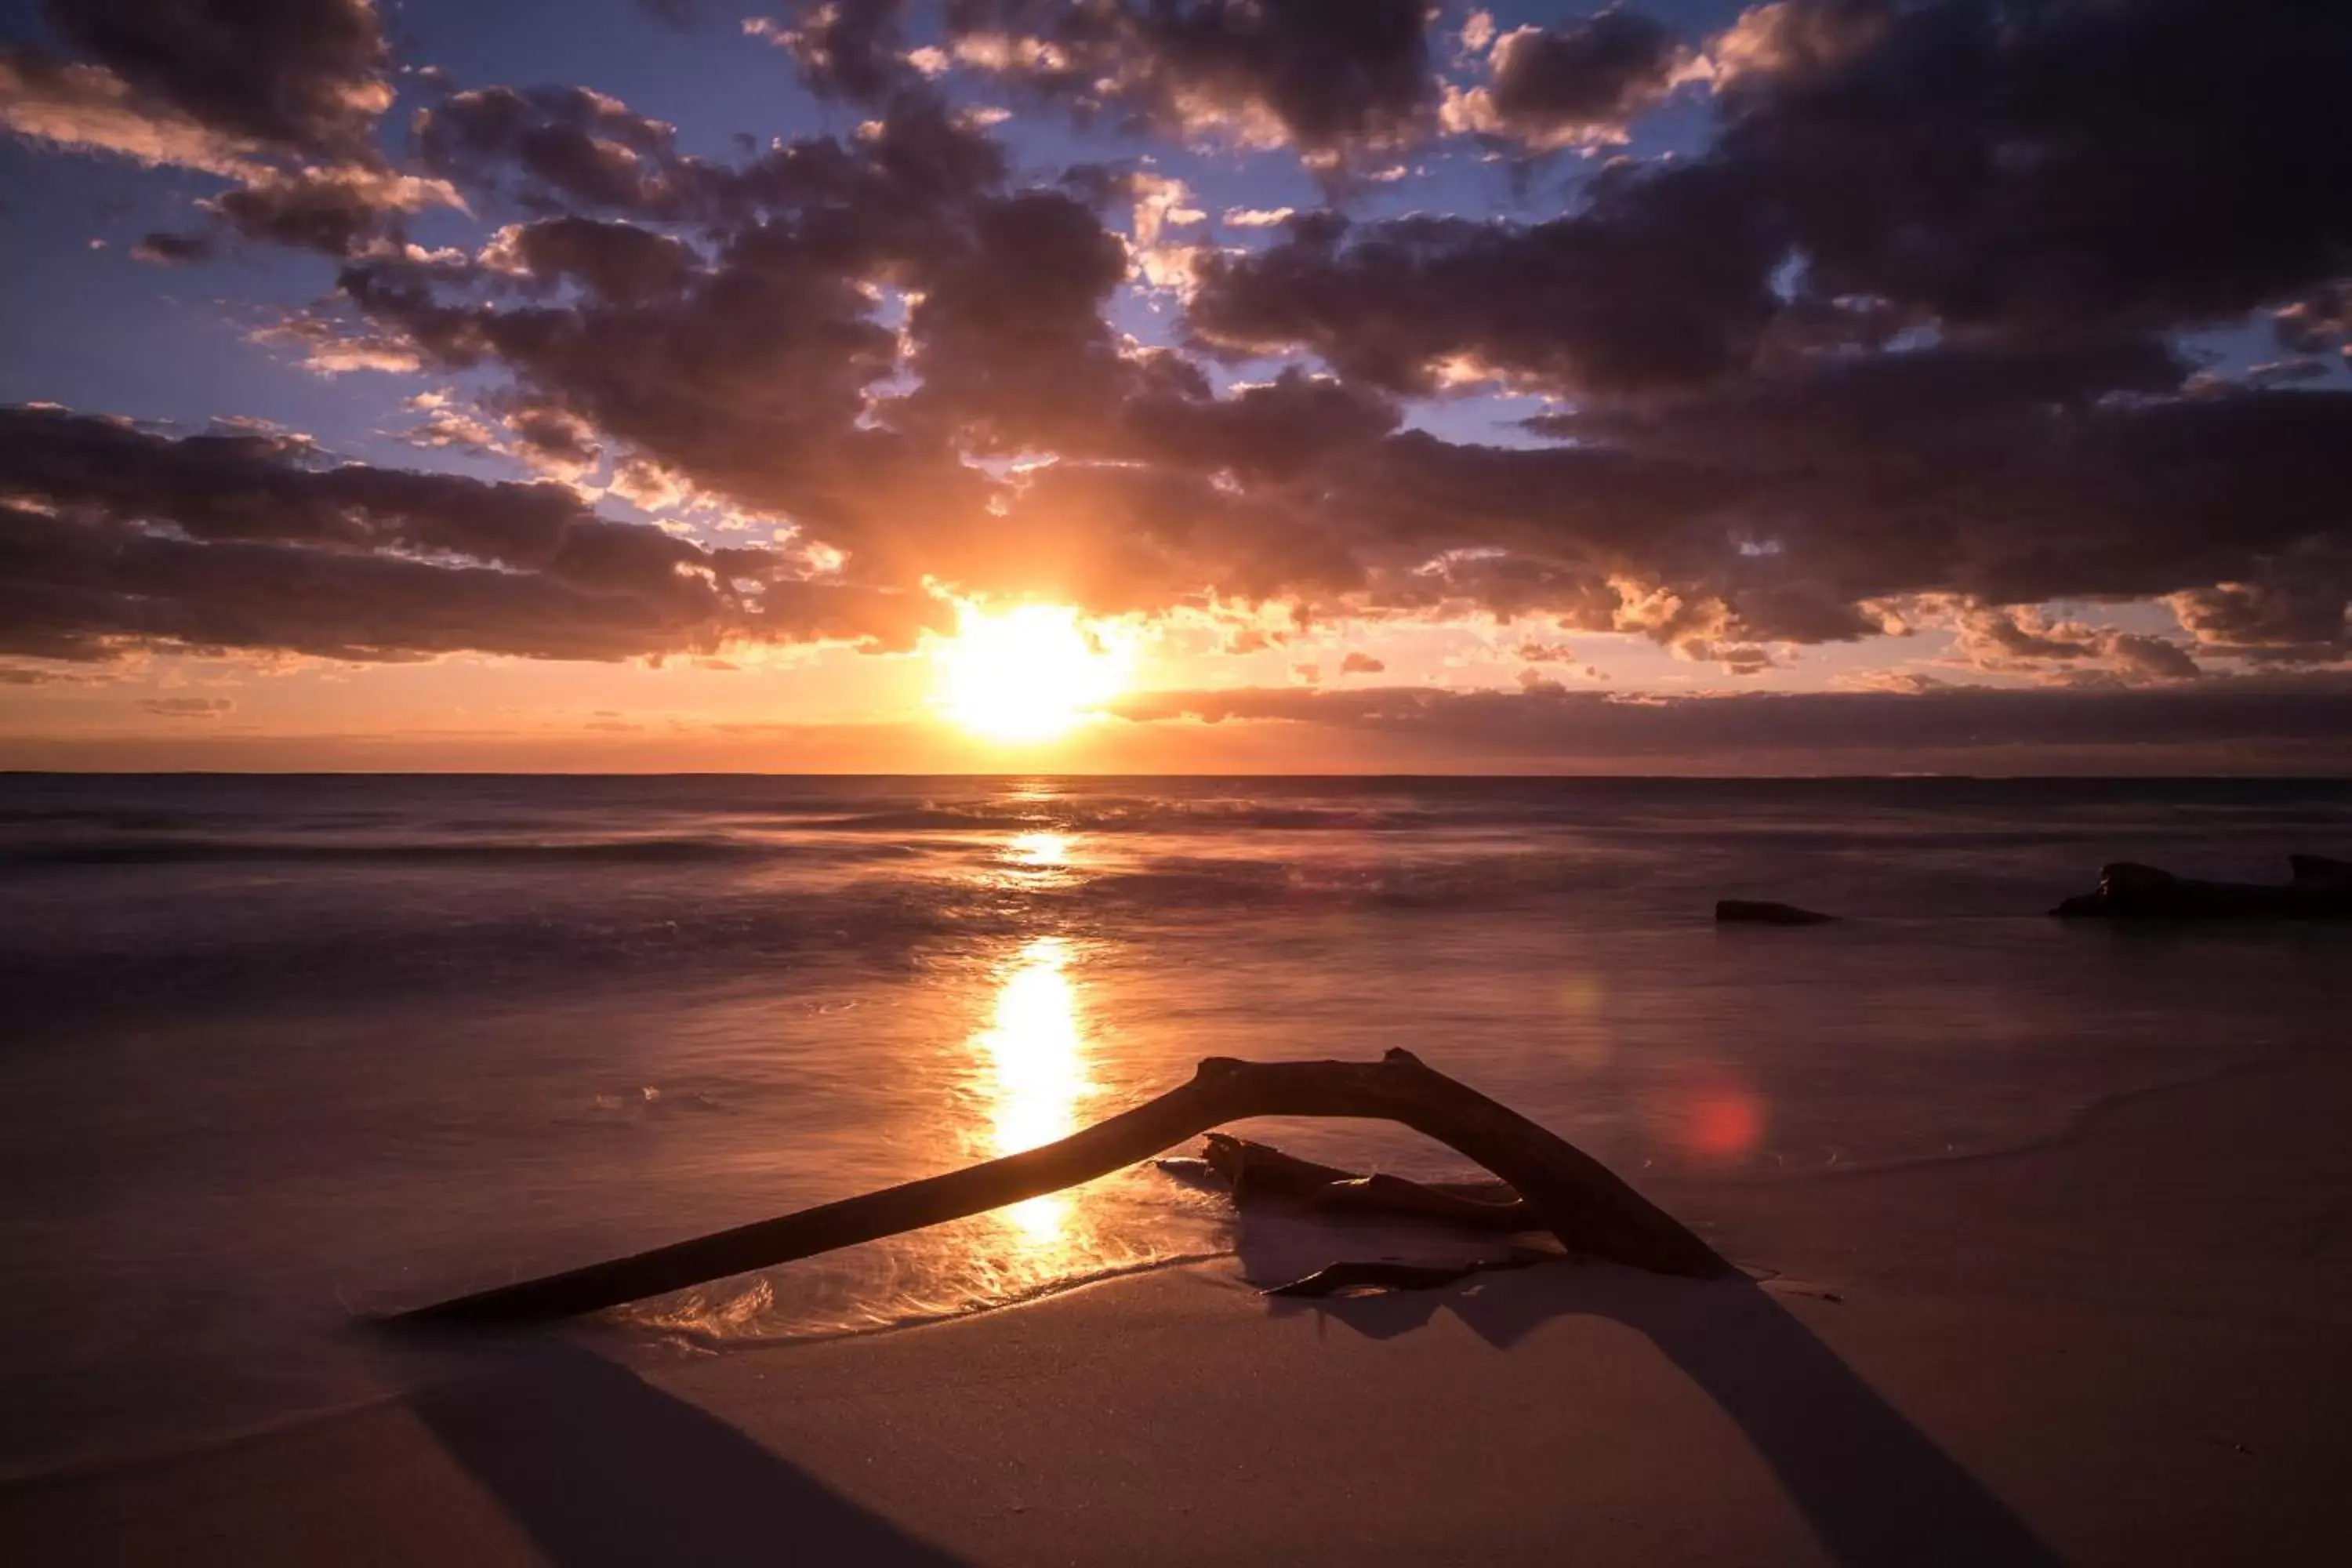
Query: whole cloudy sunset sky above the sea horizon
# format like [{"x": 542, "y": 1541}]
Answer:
[{"x": 1822, "y": 387}]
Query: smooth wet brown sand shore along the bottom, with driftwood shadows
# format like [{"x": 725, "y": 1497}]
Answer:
[{"x": 2130, "y": 1346}]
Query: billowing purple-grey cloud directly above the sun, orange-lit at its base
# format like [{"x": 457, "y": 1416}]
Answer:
[{"x": 756, "y": 361}]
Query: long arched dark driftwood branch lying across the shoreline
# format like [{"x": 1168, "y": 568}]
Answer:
[{"x": 1565, "y": 1191}]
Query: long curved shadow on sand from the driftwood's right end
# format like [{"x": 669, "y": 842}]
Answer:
[{"x": 1869, "y": 1482}]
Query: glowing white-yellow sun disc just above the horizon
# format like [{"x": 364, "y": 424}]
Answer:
[{"x": 1027, "y": 674}]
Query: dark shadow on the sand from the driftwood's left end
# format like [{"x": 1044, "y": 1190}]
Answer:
[{"x": 601, "y": 1468}]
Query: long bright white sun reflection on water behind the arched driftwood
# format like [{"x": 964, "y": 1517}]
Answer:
[{"x": 1036, "y": 1052}]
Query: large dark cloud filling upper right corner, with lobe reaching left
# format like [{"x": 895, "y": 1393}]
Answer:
[{"x": 2029, "y": 170}]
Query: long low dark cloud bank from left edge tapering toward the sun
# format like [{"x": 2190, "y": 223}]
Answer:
[{"x": 119, "y": 540}]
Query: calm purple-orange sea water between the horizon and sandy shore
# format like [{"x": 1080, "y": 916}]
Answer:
[{"x": 288, "y": 1052}]
